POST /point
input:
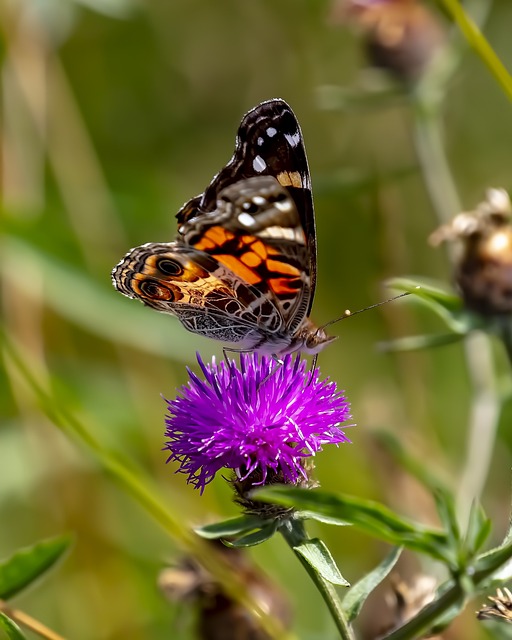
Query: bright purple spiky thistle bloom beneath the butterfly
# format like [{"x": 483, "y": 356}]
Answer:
[{"x": 255, "y": 419}]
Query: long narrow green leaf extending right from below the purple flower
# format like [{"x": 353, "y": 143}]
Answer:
[{"x": 371, "y": 517}]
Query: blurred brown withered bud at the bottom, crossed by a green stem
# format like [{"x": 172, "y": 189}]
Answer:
[{"x": 220, "y": 617}]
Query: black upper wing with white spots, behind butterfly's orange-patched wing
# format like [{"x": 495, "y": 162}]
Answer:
[{"x": 269, "y": 143}]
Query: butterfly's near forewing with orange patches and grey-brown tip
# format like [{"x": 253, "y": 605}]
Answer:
[{"x": 255, "y": 231}]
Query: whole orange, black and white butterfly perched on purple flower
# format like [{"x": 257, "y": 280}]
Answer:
[{"x": 242, "y": 268}]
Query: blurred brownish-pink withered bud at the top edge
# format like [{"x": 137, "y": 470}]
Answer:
[{"x": 401, "y": 36}]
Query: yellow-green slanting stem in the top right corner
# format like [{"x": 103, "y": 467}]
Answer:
[{"x": 476, "y": 39}]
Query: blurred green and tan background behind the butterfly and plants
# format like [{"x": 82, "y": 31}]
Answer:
[{"x": 114, "y": 112}]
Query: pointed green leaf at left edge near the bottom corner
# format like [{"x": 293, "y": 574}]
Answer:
[{"x": 30, "y": 563}]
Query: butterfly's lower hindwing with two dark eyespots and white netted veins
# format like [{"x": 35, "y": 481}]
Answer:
[{"x": 207, "y": 298}]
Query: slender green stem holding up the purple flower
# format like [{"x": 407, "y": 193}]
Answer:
[{"x": 294, "y": 533}]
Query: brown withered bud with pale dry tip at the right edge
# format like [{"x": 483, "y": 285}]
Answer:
[{"x": 484, "y": 268}]
